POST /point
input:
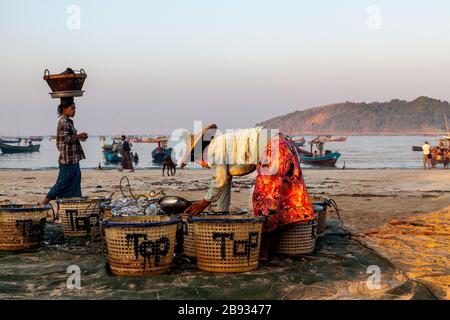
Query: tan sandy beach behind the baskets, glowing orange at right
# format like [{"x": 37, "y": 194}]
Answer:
[{"x": 402, "y": 214}]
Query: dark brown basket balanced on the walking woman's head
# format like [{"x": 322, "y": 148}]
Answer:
[{"x": 66, "y": 82}]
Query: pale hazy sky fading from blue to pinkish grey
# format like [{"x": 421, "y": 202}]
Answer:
[{"x": 154, "y": 66}]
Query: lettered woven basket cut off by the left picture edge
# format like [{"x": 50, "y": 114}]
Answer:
[{"x": 22, "y": 226}]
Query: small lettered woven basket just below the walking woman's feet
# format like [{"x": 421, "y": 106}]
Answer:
[{"x": 80, "y": 216}]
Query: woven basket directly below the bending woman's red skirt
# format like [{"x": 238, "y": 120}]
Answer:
[{"x": 300, "y": 239}]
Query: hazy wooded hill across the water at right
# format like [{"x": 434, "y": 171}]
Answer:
[{"x": 421, "y": 116}]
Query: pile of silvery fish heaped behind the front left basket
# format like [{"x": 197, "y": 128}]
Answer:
[{"x": 125, "y": 207}]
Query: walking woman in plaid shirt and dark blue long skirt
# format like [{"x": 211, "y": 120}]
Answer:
[{"x": 68, "y": 184}]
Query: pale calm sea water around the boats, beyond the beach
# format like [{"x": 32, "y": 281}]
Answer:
[{"x": 358, "y": 152}]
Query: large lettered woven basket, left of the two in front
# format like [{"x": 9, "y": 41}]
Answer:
[{"x": 140, "y": 245}]
